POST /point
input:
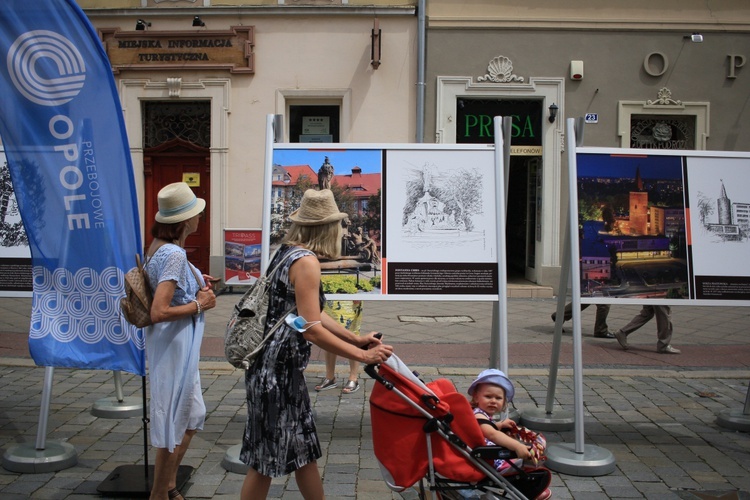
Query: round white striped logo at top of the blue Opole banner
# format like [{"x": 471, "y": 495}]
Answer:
[{"x": 46, "y": 67}]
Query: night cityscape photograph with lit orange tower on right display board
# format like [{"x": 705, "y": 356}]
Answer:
[{"x": 631, "y": 223}]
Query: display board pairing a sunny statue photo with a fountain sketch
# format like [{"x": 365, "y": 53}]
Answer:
[{"x": 421, "y": 219}]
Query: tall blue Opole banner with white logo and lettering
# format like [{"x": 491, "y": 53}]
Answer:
[{"x": 64, "y": 136}]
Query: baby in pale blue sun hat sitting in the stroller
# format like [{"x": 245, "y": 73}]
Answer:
[{"x": 490, "y": 393}]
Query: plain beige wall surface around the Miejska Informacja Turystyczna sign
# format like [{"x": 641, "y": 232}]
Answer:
[{"x": 311, "y": 59}]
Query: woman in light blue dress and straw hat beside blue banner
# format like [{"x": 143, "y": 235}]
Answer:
[{"x": 173, "y": 342}]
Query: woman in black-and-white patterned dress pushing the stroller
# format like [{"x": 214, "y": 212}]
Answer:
[{"x": 280, "y": 436}]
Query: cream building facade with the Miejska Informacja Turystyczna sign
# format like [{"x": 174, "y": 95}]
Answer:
[{"x": 199, "y": 79}]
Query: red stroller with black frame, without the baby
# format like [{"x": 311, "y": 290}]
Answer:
[{"x": 428, "y": 431}]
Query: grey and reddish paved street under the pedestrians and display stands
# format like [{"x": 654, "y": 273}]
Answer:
[{"x": 655, "y": 413}]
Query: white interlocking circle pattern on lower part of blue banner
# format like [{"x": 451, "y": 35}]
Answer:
[{"x": 85, "y": 305}]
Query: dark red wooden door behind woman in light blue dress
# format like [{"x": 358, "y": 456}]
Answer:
[{"x": 177, "y": 161}]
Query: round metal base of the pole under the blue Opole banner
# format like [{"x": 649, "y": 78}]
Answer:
[{"x": 26, "y": 458}]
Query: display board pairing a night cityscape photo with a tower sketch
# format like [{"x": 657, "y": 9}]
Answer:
[{"x": 663, "y": 226}]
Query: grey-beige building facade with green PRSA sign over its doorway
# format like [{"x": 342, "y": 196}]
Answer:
[{"x": 642, "y": 74}]
